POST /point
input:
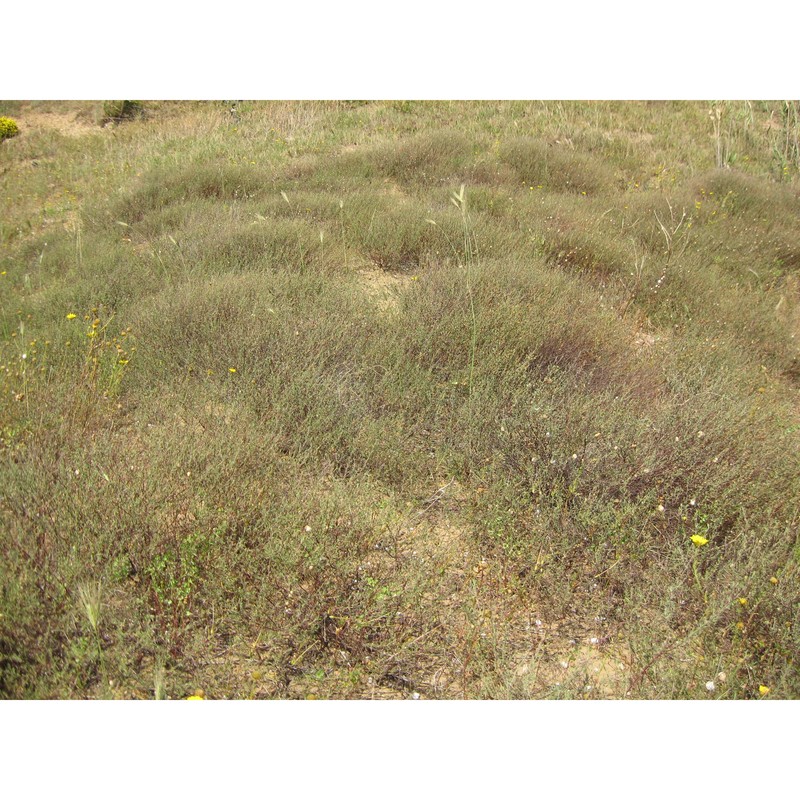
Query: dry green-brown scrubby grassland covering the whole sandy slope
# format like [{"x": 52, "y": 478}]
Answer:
[{"x": 370, "y": 399}]
